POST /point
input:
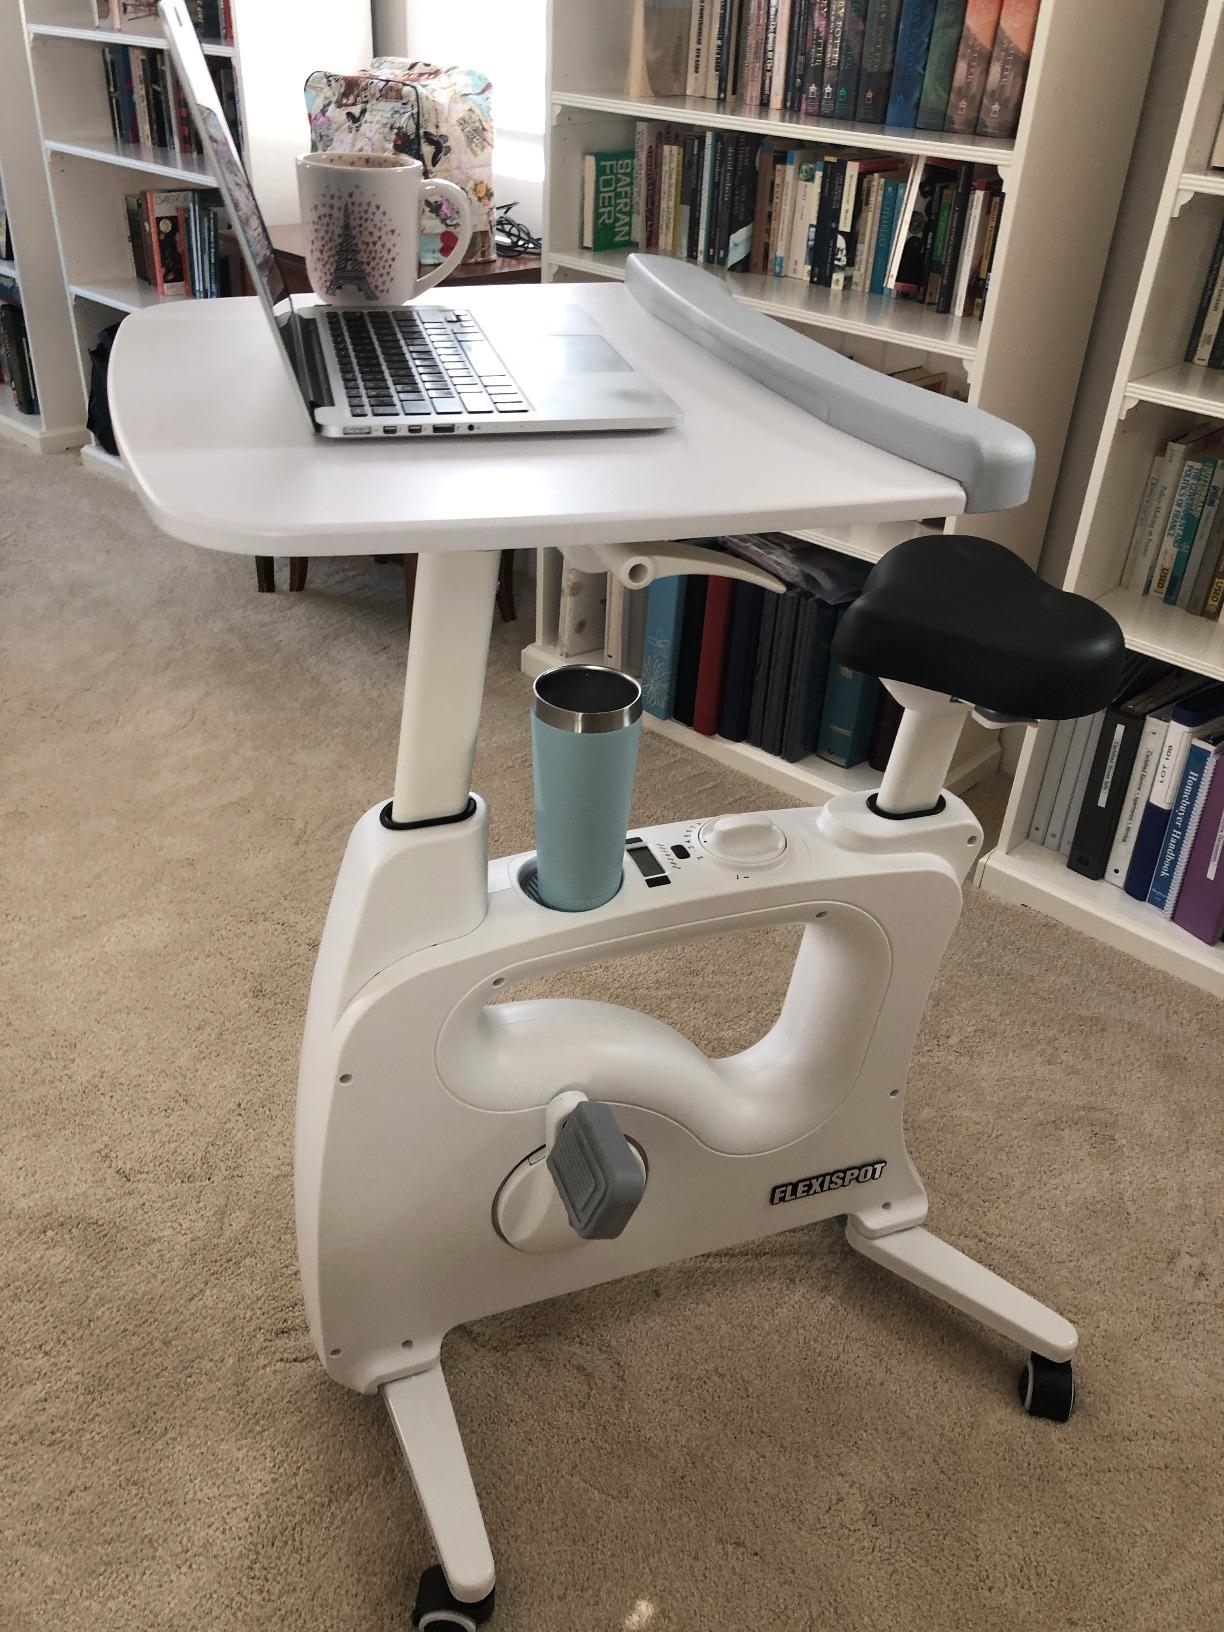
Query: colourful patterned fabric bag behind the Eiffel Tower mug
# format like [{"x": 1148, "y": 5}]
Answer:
[{"x": 440, "y": 117}]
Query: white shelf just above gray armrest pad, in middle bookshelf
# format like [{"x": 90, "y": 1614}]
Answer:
[{"x": 895, "y": 322}]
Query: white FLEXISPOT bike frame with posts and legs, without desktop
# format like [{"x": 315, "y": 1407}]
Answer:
[{"x": 425, "y": 1107}]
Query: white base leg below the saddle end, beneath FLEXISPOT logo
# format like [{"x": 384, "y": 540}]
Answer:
[{"x": 926, "y": 1261}]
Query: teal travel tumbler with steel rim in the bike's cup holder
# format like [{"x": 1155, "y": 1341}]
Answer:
[{"x": 587, "y": 724}]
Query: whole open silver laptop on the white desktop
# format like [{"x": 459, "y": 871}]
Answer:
[{"x": 419, "y": 370}]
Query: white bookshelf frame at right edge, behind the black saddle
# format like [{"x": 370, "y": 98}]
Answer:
[{"x": 1137, "y": 394}]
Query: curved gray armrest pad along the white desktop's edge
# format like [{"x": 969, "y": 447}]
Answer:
[{"x": 993, "y": 461}]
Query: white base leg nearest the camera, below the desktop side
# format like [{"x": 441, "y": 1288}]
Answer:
[{"x": 425, "y": 1426}]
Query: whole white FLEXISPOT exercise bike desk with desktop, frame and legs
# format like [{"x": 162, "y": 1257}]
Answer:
[{"x": 424, "y": 1106}]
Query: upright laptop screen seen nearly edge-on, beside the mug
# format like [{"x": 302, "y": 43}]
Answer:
[{"x": 236, "y": 187}]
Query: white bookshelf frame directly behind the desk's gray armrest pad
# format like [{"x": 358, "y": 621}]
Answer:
[{"x": 1063, "y": 177}]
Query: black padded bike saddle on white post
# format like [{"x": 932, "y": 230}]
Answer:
[{"x": 967, "y": 618}]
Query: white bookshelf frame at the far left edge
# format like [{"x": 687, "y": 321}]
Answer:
[{"x": 35, "y": 277}]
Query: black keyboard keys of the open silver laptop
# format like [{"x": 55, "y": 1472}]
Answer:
[{"x": 428, "y": 361}]
